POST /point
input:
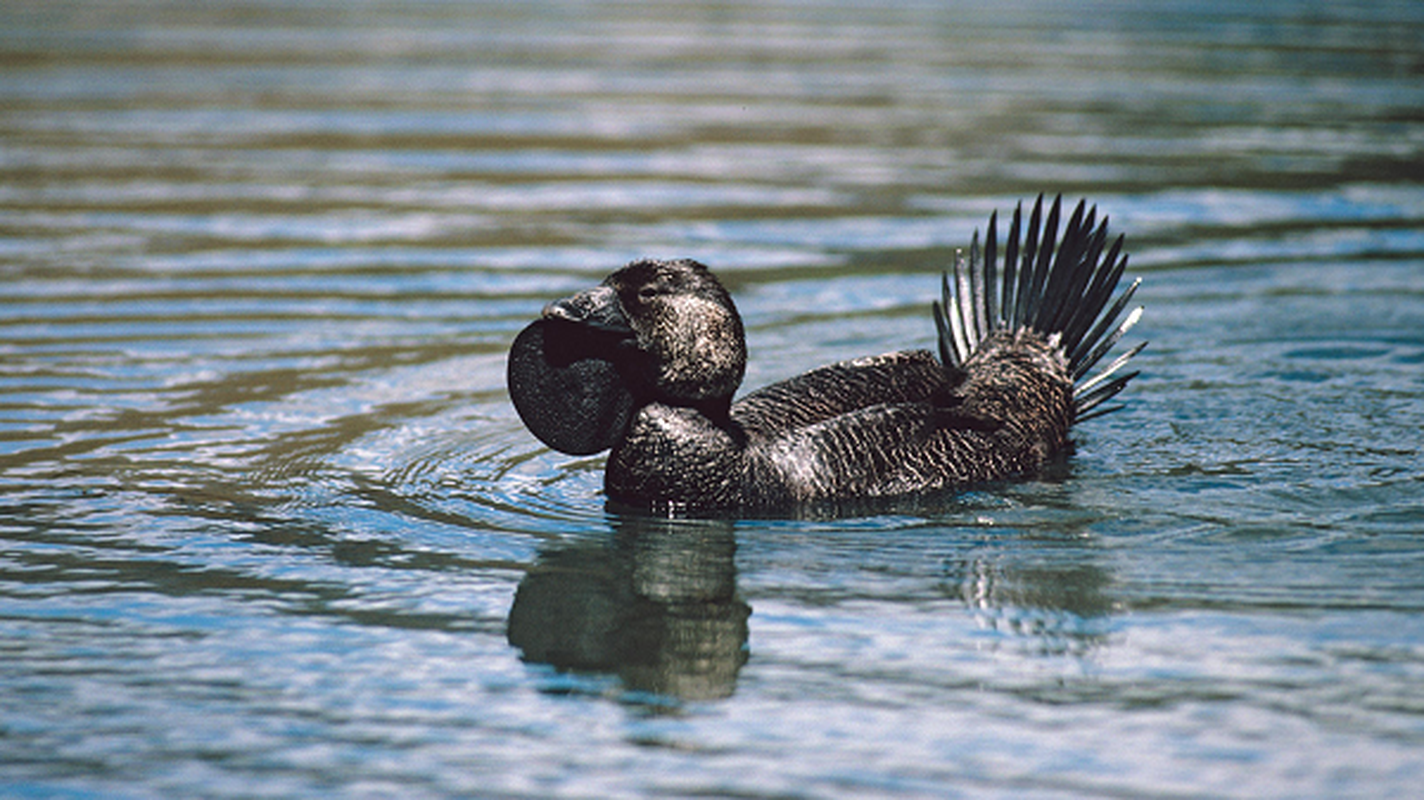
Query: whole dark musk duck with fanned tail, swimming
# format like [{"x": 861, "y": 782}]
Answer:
[{"x": 647, "y": 365}]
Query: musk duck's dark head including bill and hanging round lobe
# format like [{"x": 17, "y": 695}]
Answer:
[{"x": 653, "y": 332}]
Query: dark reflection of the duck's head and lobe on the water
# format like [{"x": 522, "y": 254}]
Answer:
[{"x": 654, "y": 604}]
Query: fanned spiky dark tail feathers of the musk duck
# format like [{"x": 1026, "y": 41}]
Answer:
[{"x": 1056, "y": 287}]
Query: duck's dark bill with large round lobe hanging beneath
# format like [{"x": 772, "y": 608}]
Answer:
[{"x": 563, "y": 374}]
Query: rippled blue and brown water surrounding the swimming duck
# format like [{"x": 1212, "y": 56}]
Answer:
[{"x": 271, "y": 527}]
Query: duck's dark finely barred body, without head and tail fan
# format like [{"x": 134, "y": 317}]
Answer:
[{"x": 808, "y": 441}]
